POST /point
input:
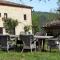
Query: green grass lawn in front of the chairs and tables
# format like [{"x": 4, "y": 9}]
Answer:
[{"x": 29, "y": 56}]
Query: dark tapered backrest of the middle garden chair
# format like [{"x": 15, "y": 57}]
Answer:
[{"x": 27, "y": 39}]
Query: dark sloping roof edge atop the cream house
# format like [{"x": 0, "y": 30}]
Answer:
[{"x": 13, "y": 4}]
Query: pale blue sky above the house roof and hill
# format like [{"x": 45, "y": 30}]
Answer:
[{"x": 48, "y": 6}]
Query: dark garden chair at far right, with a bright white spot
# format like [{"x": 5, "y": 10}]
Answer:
[{"x": 53, "y": 43}]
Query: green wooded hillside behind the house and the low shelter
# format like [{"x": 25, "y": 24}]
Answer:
[{"x": 41, "y": 18}]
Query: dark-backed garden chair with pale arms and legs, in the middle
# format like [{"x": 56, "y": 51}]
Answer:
[{"x": 28, "y": 42}]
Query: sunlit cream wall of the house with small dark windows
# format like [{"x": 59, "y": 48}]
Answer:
[{"x": 16, "y": 12}]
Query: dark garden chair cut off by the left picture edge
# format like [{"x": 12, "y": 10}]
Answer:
[{"x": 4, "y": 42}]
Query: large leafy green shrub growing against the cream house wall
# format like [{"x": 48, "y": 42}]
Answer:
[{"x": 9, "y": 25}]
